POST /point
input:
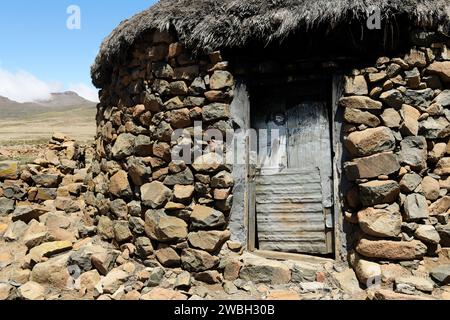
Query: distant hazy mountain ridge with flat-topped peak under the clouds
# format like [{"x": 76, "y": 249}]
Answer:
[{"x": 59, "y": 101}]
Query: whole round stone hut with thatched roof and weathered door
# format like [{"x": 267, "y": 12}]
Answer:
[{"x": 349, "y": 157}]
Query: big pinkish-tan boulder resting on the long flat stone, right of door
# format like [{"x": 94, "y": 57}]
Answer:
[{"x": 380, "y": 222}]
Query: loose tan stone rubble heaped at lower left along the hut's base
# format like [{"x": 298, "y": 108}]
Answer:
[{"x": 53, "y": 245}]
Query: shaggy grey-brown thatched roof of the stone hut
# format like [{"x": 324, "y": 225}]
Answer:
[{"x": 213, "y": 24}]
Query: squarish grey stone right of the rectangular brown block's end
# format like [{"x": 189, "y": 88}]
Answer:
[{"x": 414, "y": 152}]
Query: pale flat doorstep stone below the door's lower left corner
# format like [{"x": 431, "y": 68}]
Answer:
[{"x": 259, "y": 270}]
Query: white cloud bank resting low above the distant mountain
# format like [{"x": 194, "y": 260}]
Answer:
[{"x": 22, "y": 86}]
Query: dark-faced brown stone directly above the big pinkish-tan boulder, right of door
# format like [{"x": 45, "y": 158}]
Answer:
[{"x": 378, "y": 192}]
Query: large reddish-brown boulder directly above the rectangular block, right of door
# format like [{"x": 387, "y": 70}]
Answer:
[{"x": 370, "y": 141}]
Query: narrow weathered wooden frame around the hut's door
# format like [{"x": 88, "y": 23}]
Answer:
[{"x": 336, "y": 161}]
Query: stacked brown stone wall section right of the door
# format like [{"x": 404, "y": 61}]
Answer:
[{"x": 397, "y": 136}]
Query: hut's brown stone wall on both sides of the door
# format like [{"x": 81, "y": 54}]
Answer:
[{"x": 177, "y": 213}]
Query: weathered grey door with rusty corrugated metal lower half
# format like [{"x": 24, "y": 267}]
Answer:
[{"x": 293, "y": 185}]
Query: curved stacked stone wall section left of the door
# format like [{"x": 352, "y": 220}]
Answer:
[{"x": 175, "y": 213}]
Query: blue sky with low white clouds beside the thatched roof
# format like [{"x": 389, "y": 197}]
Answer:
[{"x": 37, "y": 48}]
